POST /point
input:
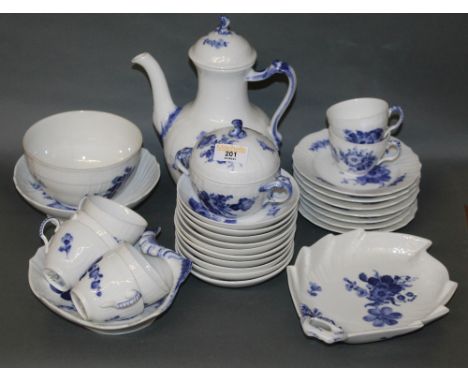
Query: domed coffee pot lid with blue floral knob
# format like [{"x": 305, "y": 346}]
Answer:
[{"x": 223, "y": 49}]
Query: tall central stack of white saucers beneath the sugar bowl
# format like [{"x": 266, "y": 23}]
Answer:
[{"x": 234, "y": 252}]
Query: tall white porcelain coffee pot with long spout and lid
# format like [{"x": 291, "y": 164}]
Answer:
[{"x": 224, "y": 62}]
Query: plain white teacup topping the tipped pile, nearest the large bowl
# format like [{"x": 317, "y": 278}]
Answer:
[{"x": 120, "y": 221}]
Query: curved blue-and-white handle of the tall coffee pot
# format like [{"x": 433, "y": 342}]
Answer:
[{"x": 281, "y": 67}]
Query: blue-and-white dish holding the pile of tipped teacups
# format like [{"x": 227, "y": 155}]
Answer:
[{"x": 61, "y": 303}]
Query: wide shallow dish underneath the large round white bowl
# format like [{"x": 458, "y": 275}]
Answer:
[{"x": 142, "y": 182}]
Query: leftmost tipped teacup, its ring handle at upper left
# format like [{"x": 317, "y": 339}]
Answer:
[{"x": 76, "y": 244}]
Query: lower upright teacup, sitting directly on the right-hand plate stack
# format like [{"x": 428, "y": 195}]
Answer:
[{"x": 361, "y": 158}]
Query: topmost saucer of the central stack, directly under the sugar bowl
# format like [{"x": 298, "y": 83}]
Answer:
[{"x": 267, "y": 216}]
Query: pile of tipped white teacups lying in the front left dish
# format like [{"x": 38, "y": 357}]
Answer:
[{"x": 92, "y": 255}]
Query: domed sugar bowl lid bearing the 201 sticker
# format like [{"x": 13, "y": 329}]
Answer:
[{"x": 234, "y": 155}]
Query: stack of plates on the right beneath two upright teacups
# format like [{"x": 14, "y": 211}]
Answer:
[{"x": 383, "y": 199}]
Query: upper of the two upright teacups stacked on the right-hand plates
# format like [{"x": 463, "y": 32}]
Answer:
[{"x": 363, "y": 120}]
